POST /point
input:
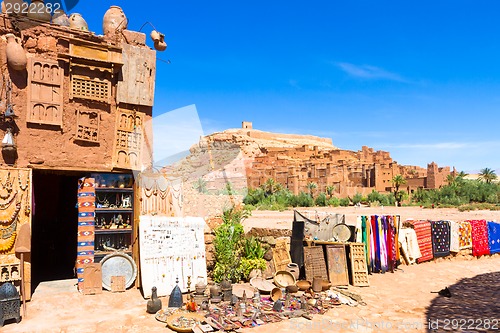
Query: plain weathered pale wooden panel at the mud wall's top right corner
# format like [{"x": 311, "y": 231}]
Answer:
[{"x": 136, "y": 83}]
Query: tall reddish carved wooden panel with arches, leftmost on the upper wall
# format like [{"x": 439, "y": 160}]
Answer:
[{"x": 45, "y": 92}]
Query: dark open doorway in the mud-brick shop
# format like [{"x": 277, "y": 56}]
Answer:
[{"x": 55, "y": 226}]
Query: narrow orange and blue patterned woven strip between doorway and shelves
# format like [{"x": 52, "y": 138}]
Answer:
[{"x": 86, "y": 216}]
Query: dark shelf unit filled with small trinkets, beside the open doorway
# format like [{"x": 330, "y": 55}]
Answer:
[{"x": 114, "y": 214}]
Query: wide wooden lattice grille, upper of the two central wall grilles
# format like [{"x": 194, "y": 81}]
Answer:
[{"x": 90, "y": 87}]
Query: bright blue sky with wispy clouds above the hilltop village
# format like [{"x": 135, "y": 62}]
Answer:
[{"x": 420, "y": 79}]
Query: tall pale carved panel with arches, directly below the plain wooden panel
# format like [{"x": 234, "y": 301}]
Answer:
[{"x": 128, "y": 139}]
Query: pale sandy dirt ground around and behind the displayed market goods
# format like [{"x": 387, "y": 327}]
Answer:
[{"x": 403, "y": 301}]
